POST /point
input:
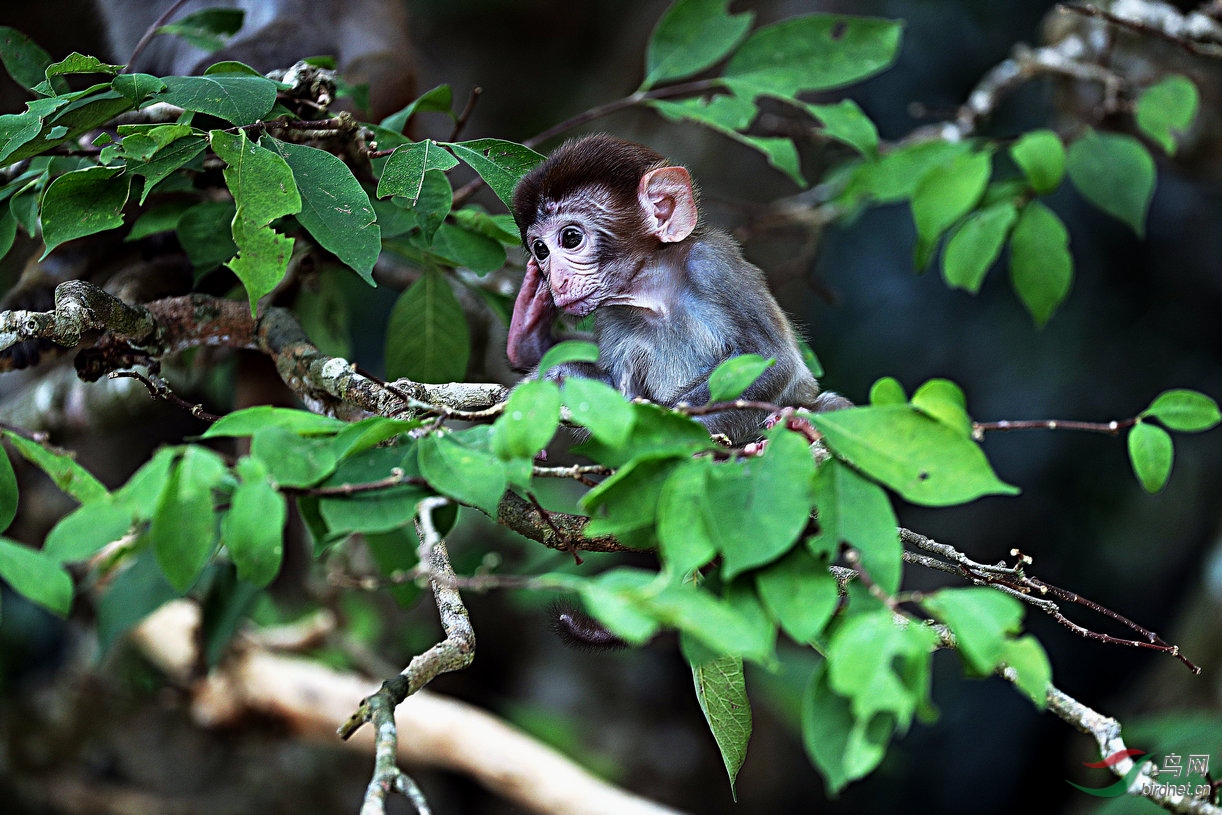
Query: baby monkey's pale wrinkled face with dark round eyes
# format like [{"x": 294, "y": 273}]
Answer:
[{"x": 565, "y": 250}]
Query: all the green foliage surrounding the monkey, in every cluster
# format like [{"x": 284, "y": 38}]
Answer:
[{"x": 741, "y": 557}]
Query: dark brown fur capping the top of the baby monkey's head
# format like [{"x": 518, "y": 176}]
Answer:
[{"x": 586, "y": 163}]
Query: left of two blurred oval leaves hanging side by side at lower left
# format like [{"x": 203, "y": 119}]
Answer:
[{"x": 184, "y": 530}]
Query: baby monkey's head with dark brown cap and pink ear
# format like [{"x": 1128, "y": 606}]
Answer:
[{"x": 595, "y": 212}]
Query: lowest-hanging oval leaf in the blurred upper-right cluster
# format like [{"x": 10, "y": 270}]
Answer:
[{"x": 1041, "y": 265}]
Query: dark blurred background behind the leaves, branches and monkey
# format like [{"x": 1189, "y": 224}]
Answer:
[{"x": 1143, "y": 317}]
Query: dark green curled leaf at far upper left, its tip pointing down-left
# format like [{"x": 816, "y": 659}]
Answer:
[{"x": 82, "y": 203}]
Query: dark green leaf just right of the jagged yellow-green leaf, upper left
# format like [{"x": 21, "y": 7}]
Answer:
[{"x": 334, "y": 208}]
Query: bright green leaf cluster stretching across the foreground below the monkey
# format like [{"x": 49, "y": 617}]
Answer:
[{"x": 741, "y": 561}]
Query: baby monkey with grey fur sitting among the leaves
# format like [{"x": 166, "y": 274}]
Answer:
[{"x": 614, "y": 230}]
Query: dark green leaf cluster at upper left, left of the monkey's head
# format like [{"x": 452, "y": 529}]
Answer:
[{"x": 279, "y": 190}]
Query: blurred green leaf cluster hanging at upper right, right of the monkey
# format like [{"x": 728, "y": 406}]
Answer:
[{"x": 970, "y": 199}]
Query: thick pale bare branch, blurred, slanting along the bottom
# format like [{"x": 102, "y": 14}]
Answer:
[{"x": 256, "y": 682}]
